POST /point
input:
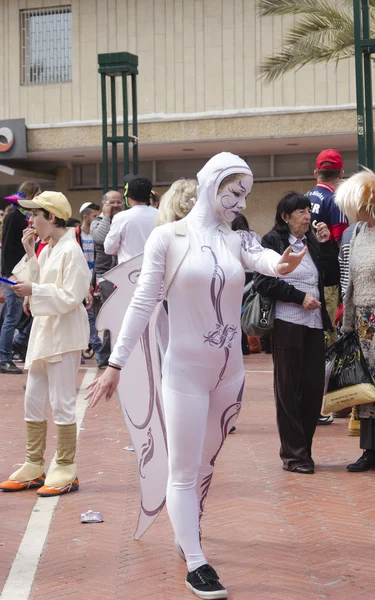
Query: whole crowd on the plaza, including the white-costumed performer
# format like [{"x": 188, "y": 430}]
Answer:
[{"x": 198, "y": 253}]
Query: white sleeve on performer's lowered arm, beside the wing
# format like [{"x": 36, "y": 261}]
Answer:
[{"x": 145, "y": 297}]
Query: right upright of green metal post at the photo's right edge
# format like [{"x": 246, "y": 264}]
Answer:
[{"x": 369, "y": 128}]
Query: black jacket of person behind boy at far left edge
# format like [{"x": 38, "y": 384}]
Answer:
[{"x": 12, "y": 250}]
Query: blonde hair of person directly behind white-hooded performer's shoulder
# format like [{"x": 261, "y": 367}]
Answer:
[{"x": 178, "y": 201}]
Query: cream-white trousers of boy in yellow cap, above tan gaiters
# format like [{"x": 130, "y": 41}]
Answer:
[{"x": 55, "y": 384}]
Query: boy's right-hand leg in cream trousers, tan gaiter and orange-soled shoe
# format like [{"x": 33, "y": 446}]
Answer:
[{"x": 62, "y": 395}]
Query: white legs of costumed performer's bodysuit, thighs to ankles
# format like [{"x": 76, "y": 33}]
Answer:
[{"x": 196, "y": 429}]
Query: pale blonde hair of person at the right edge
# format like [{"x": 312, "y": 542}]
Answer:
[{"x": 357, "y": 193}]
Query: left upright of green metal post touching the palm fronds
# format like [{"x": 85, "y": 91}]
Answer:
[{"x": 359, "y": 84}]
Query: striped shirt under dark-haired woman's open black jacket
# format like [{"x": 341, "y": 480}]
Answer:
[{"x": 306, "y": 279}]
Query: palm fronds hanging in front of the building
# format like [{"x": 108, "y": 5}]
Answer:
[{"x": 323, "y": 32}]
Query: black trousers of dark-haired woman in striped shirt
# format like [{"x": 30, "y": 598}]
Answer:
[{"x": 299, "y": 372}]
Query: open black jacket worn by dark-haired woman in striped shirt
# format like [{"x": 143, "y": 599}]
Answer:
[{"x": 325, "y": 258}]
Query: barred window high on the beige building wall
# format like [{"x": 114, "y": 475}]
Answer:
[{"x": 46, "y": 45}]
